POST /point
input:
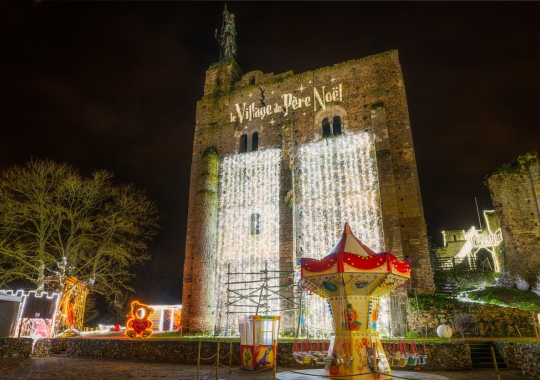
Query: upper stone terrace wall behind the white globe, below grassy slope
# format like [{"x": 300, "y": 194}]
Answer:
[{"x": 494, "y": 321}]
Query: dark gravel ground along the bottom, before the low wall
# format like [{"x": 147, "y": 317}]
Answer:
[{"x": 63, "y": 368}]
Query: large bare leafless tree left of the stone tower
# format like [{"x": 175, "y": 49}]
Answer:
[{"x": 55, "y": 225}]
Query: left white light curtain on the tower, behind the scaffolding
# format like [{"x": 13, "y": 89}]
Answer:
[{"x": 248, "y": 230}]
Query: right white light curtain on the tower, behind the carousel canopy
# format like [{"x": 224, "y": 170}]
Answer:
[{"x": 337, "y": 183}]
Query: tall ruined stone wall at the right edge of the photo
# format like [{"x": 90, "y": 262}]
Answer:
[{"x": 515, "y": 193}]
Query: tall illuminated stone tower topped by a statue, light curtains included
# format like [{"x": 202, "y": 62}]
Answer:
[{"x": 281, "y": 162}]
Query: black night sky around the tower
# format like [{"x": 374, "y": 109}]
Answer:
[{"x": 114, "y": 85}]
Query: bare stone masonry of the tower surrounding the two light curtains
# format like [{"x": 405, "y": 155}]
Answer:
[{"x": 373, "y": 99}]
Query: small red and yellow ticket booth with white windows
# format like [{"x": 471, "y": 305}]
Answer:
[{"x": 258, "y": 340}]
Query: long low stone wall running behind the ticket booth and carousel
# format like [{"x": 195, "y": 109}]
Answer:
[{"x": 454, "y": 355}]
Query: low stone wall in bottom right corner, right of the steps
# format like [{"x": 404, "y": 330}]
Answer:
[{"x": 523, "y": 356}]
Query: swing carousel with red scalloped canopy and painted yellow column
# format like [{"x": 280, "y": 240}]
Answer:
[{"x": 353, "y": 279}]
